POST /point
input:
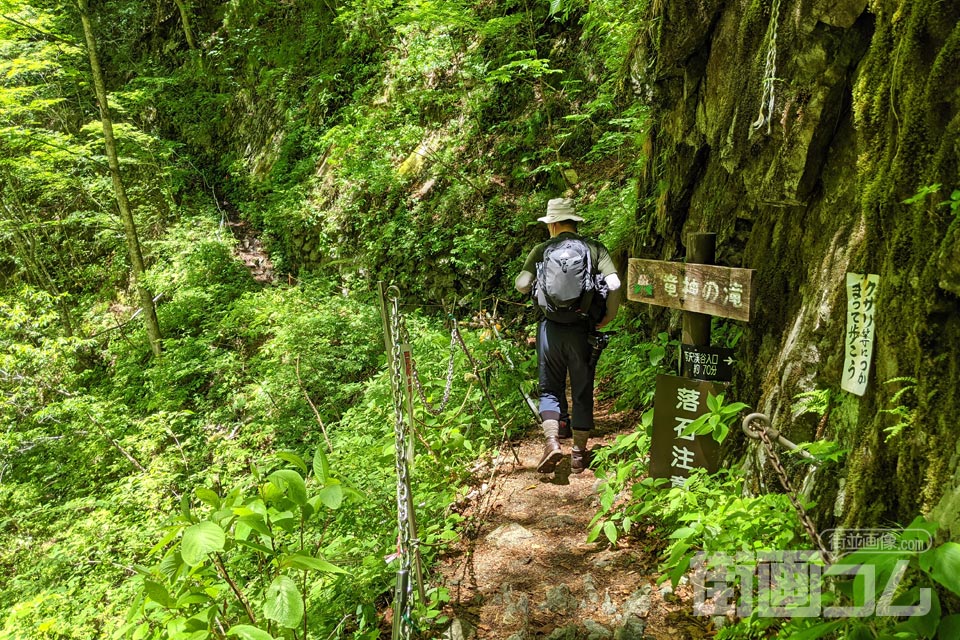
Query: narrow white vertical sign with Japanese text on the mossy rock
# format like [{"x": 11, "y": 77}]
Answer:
[{"x": 858, "y": 339}]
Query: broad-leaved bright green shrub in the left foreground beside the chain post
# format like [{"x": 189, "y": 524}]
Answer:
[{"x": 243, "y": 562}]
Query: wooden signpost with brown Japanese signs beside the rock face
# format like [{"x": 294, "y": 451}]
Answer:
[{"x": 701, "y": 290}]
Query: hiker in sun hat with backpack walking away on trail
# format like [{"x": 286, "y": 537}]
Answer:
[{"x": 575, "y": 283}]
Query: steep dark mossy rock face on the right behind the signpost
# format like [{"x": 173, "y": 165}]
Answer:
[{"x": 866, "y": 113}]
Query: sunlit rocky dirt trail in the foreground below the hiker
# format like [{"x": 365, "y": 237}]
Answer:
[{"x": 527, "y": 572}]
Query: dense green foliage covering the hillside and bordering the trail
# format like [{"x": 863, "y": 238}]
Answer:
[{"x": 242, "y": 483}]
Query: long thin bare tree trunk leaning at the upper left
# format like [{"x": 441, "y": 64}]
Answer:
[{"x": 130, "y": 229}]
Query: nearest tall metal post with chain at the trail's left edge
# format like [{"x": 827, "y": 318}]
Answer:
[{"x": 407, "y": 542}]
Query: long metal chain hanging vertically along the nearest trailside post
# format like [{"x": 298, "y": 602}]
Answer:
[{"x": 401, "y": 434}]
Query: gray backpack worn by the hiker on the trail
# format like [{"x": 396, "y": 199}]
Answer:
[{"x": 566, "y": 281}]
